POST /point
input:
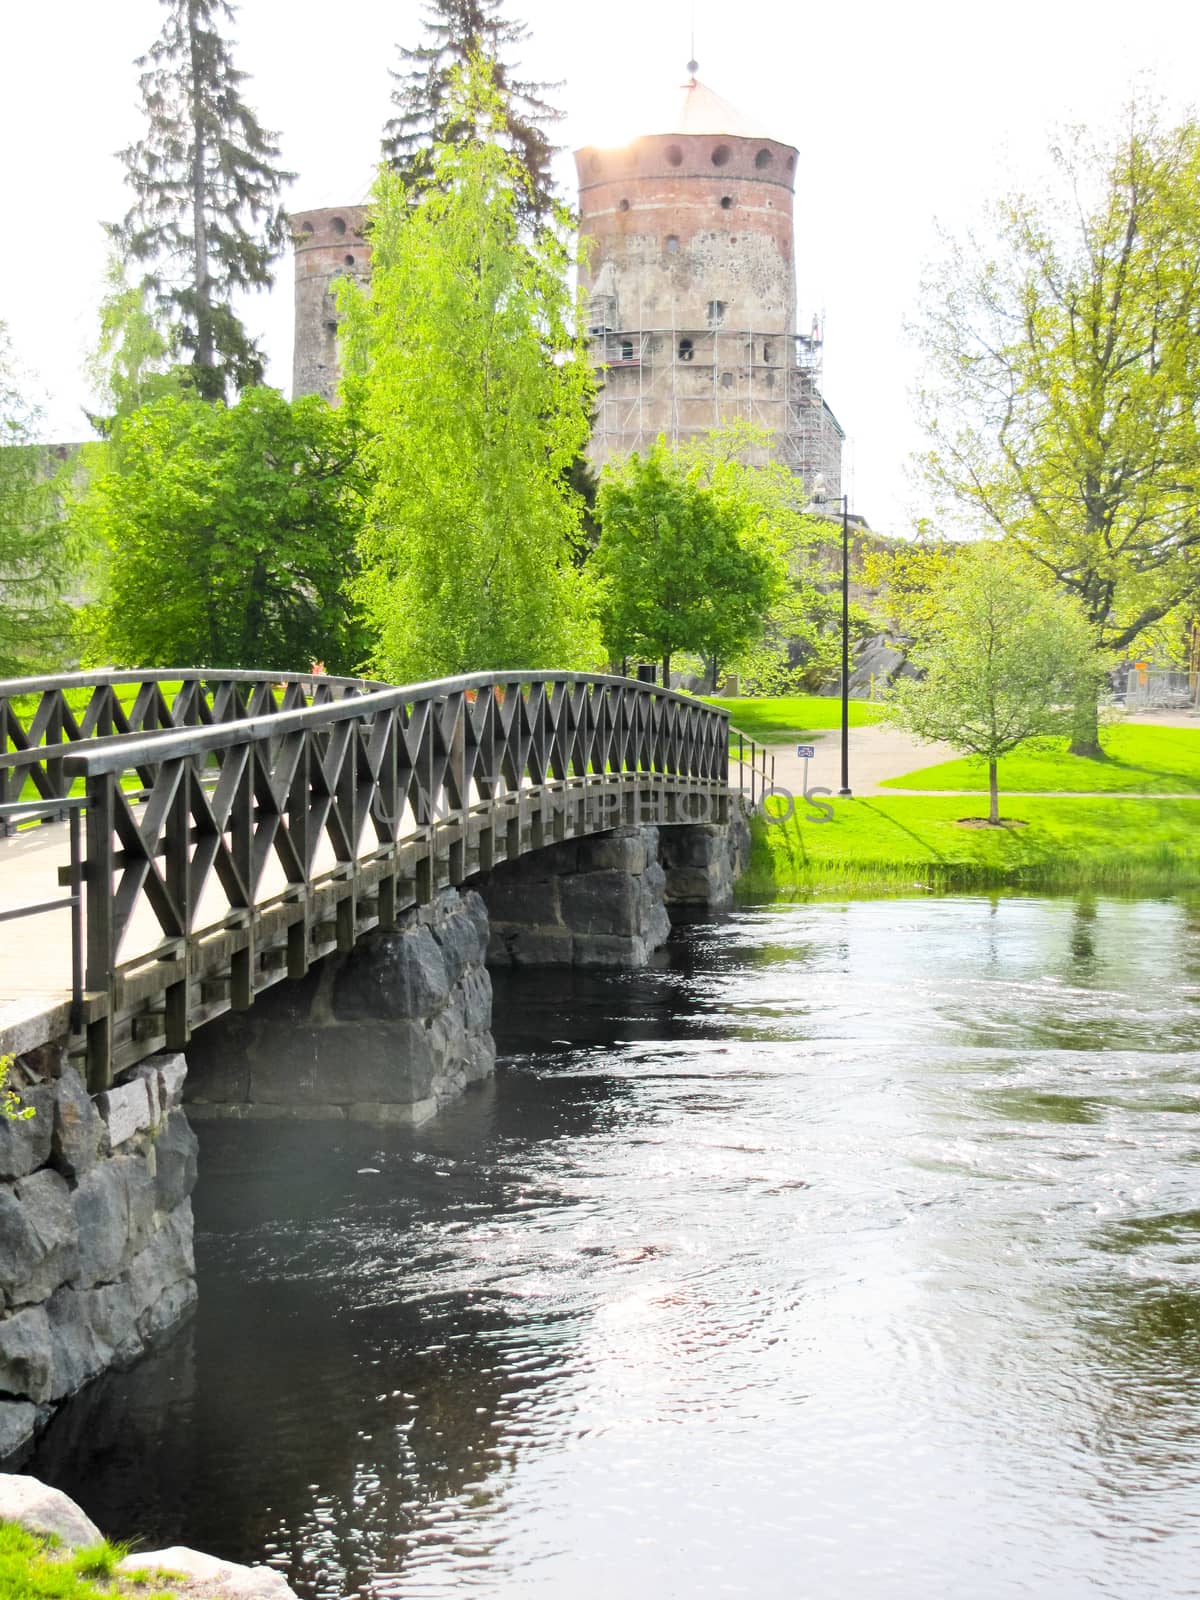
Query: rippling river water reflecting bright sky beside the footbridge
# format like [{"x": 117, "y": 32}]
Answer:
[{"x": 854, "y": 1254}]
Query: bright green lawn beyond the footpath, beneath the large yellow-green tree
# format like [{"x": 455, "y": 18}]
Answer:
[{"x": 1138, "y": 759}]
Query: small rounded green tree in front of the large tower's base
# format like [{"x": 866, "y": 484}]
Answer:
[{"x": 686, "y": 564}]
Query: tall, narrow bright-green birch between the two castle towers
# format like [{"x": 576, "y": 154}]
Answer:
[{"x": 474, "y": 391}]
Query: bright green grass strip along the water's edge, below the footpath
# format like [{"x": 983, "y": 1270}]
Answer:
[{"x": 890, "y": 844}]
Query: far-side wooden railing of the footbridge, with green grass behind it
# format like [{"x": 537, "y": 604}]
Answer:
[{"x": 41, "y": 719}]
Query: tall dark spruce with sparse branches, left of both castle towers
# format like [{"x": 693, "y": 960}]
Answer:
[{"x": 207, "y": 214}]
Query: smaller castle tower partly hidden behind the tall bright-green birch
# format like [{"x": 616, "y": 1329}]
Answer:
[{"x": 329, "y": 246}]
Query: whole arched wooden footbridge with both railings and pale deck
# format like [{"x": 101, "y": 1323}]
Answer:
[{"x": 220, "y": 831}]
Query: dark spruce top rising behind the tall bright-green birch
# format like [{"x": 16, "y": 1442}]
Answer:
[{"x": 428, "y": 114}]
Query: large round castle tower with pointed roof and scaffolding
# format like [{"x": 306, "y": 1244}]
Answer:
[{"x": 690, "y": 289}]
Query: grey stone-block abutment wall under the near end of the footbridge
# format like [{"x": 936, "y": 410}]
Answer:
[{"x": 95, "y": 1231}]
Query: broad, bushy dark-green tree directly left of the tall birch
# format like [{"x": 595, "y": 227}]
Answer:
[{"x": 230, "y": 537}]
